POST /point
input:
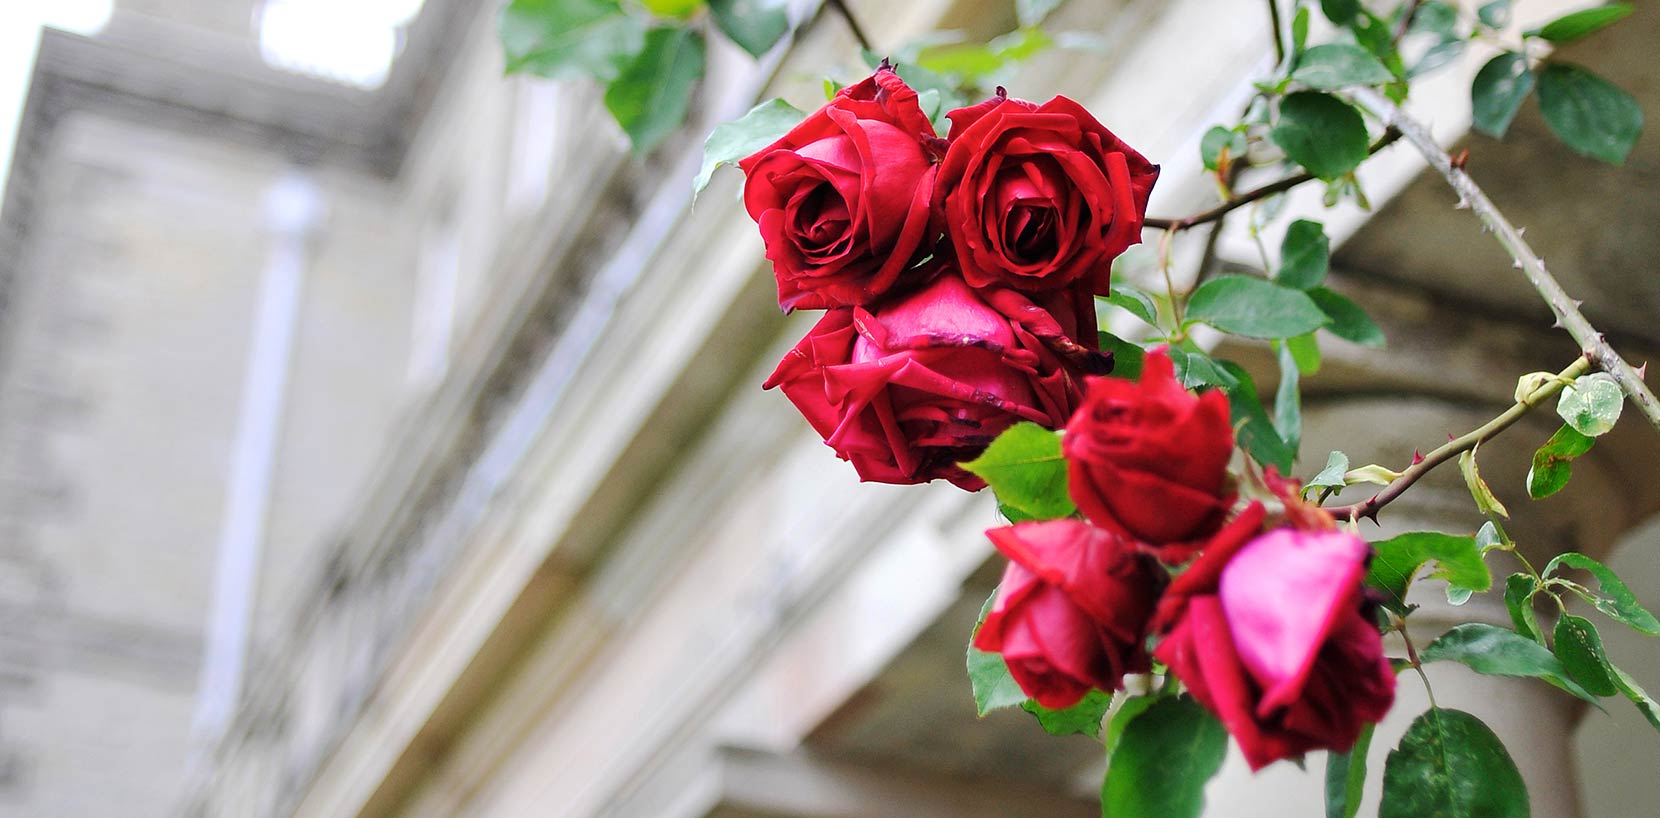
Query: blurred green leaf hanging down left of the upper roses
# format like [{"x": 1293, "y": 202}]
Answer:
[{"x": 652, "y": 97}]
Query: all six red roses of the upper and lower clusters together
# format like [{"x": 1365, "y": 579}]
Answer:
[{"x": 959, "y": 280}]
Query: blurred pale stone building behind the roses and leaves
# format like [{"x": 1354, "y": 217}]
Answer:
[{"x": 379, "y": 439}]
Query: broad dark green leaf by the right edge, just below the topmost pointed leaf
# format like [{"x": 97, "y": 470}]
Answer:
[{"x": 1591, "y": 115}]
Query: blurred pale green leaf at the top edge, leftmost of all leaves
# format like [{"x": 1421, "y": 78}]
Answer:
[{"x": 570, "y": 37}]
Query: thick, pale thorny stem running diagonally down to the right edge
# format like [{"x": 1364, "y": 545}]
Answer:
[{"x": 1566, "y": 309}]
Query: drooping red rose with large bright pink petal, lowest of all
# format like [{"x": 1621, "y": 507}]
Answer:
[{"x": 1272, "y": 636}]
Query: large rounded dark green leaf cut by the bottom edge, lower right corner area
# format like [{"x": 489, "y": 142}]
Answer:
[{"x": 1452, "y": 766}]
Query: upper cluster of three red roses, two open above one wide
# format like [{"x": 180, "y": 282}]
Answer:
[{"x": 959, "y": 275}]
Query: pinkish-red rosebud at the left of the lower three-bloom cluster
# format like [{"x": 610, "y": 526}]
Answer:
[{"x": 1073, "y": 610}]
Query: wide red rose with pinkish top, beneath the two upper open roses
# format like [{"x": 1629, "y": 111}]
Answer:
[{"x": 915, "y": 386}]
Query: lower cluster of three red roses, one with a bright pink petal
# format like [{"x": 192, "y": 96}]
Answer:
[{"x": 1266, "y": 628}]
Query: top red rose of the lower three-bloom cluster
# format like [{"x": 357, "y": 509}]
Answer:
[{"x": 1150, "y": 460}]
